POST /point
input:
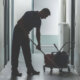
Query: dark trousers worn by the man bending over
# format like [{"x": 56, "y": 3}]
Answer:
[{"x": 20, "y": 39}]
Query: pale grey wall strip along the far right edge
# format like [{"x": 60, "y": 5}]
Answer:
[{"x": 77, "y": 35}]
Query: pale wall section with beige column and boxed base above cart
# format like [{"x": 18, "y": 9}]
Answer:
[{"x": 64, "y": 23}]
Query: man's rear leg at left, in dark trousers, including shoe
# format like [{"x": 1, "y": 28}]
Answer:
[{"x": 15, "y": 53}]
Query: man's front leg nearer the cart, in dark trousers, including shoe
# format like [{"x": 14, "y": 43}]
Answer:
[{"x": 27, "y": 55}]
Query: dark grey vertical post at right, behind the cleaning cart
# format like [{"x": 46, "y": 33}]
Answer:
[{"x": 72, "y": 30}]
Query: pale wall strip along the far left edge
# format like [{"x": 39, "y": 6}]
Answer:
[{"x": 1, "y": 35}]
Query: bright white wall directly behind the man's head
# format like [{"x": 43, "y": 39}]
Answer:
[{"x": 50, "y": 25}]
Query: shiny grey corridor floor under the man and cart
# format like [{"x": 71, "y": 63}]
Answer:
[{"x": 38, "y": 62}]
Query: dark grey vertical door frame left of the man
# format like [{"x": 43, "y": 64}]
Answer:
[{"x": 6, "y": 31}]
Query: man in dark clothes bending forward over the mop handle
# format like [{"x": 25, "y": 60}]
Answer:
[{"x": 30, "y": 20}]
